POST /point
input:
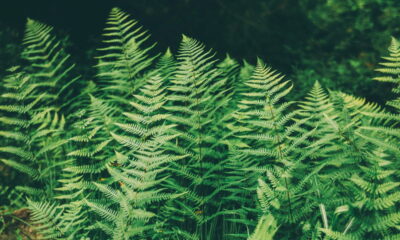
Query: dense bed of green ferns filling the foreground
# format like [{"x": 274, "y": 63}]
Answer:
[{"x": 186, "y": 146}]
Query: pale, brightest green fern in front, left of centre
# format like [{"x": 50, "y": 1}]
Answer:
[{"x": 139, "y": 167}]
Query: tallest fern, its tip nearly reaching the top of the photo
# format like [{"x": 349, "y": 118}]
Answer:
[{"x": 122, "y": 59}]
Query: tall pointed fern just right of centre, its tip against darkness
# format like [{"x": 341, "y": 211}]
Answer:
[{"x": 267, "y": 144}]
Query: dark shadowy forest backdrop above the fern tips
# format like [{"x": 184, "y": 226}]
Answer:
[{"x": 336, "y": 42}]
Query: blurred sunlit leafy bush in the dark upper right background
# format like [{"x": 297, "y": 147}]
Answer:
[{"x": 347, "y": 39}]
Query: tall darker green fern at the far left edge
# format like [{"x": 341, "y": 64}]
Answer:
[{"x": 38, "y": 96}]
